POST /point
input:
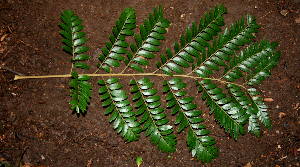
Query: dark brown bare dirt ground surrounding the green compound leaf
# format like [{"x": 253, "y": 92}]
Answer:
[{"x": 35, "y": 115}]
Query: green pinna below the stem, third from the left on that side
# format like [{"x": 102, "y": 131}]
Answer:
[{"x": 154, "y": 119}]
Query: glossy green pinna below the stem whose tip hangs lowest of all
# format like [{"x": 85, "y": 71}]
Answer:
[{"x": 199, "y": 143}]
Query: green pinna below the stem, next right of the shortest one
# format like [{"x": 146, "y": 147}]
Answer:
[{"x": 115, "y": 100}]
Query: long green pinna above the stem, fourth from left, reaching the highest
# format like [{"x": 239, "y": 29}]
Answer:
[{"x": 194, "y": 43}]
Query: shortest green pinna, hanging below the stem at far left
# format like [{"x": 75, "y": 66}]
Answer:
[{"x": 80, "y": 92}]
